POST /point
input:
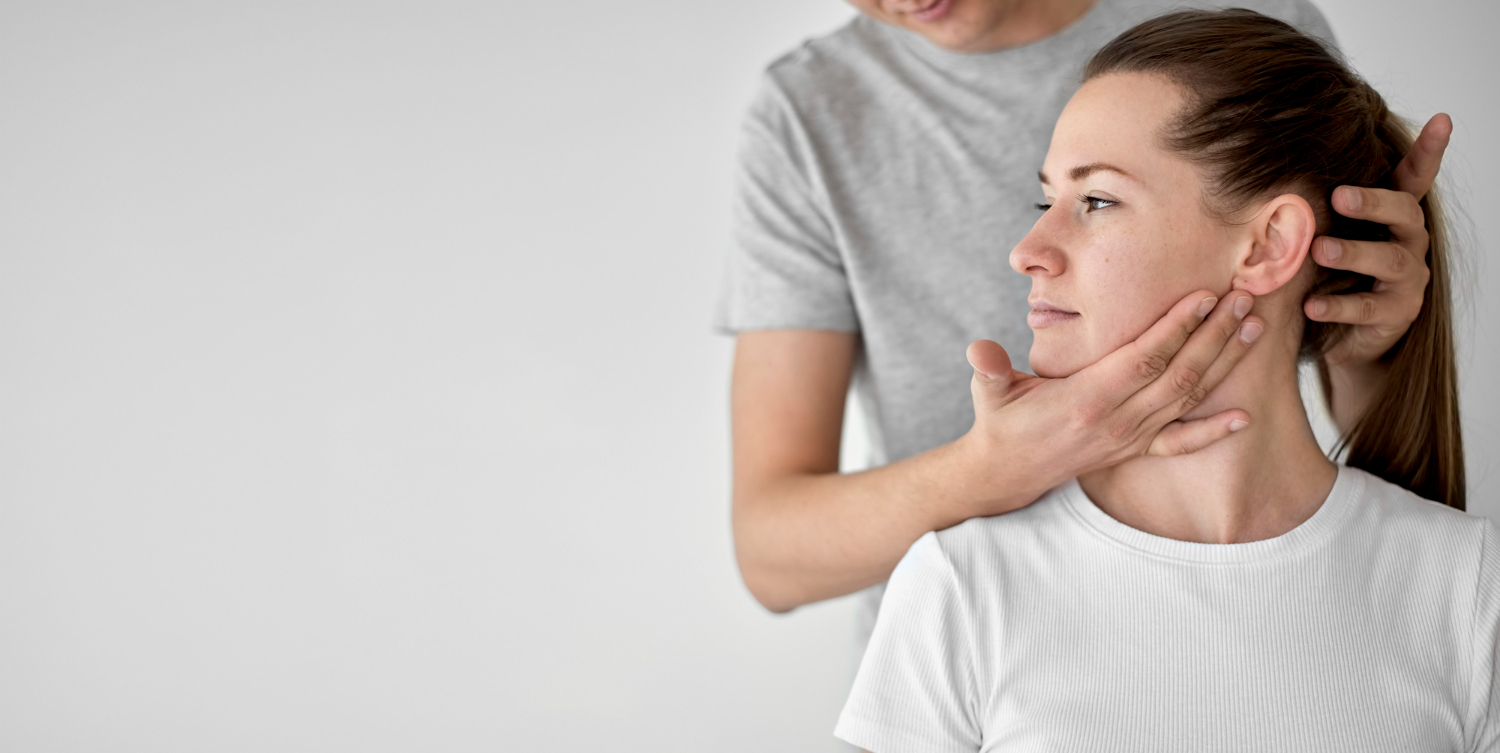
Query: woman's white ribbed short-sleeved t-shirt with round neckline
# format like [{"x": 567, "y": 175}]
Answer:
[{"x": 1369, "y": 628}]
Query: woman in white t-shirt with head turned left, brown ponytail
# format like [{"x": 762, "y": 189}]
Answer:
[{"x": 1252, "y": 596}]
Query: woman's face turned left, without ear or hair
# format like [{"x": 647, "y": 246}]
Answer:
[{"x": 1127, "y": 233}]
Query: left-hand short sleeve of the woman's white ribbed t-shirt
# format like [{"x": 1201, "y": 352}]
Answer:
[{"x": 916, "y": 691}]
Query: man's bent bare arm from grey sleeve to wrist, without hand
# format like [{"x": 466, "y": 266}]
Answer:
[{"x": 803, "y": 532}]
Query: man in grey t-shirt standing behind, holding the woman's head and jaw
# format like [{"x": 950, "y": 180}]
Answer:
[{"x": 886, "y": 172}]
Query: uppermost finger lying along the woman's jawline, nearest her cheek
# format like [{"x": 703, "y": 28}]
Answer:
[{"x": 1124, "y": 373}]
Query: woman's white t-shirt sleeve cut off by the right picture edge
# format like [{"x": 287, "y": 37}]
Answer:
[{"x": 1484, "y": 695}]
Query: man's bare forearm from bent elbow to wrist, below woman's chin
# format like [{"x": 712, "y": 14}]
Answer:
[{"x": 808, "y": 538}]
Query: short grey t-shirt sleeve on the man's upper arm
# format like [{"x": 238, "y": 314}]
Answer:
[{"x": 784, "y": 269}]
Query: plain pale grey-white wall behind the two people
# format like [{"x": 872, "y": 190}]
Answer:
[{"x": 356, "y": 377}]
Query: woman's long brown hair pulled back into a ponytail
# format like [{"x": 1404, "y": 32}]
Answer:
[{"x": 1273, "y": 110}]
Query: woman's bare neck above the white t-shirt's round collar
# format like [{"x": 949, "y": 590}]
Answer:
[{"x": 1256, "y": 484}]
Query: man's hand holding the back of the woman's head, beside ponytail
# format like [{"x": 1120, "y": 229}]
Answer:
[{"x": 1384, "y": 316}]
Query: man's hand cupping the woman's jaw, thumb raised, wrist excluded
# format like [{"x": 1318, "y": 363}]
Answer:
[{"x": 1031, "y": 433}]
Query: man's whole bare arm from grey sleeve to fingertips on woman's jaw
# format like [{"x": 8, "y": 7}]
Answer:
[{"x": 805, "y": 532}]
